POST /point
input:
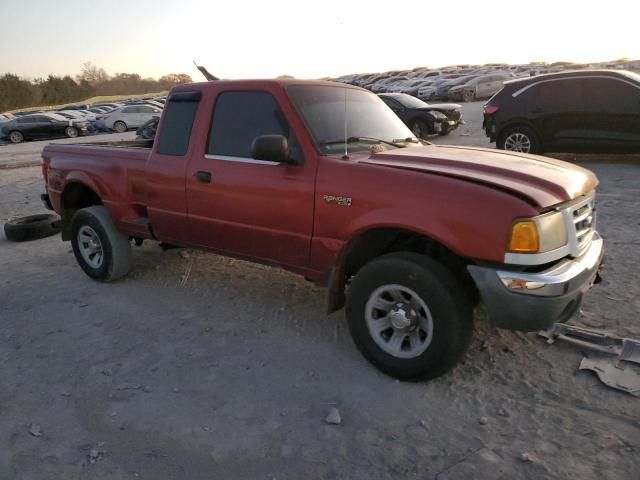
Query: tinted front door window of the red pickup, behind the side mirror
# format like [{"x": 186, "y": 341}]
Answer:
[{"x": 240, "y": 117}]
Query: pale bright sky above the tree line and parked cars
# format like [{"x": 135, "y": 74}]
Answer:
[{"x": 306, "y": 39}]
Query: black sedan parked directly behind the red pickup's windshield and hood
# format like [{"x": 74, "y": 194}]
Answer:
[{"x": 421, "y": 117}]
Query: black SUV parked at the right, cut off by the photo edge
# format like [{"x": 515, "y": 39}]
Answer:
[{"x": 581, "y": 111}]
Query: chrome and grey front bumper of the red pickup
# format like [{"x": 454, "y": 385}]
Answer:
[{"x": 533, "y": 301}]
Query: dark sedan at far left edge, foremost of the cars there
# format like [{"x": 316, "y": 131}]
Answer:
[{"x": 41, "y": 126}]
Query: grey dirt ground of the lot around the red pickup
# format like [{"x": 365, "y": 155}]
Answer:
[{"x": 229, "y": 371}]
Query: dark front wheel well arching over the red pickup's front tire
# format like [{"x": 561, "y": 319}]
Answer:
[{"x": 374, "y": 242}]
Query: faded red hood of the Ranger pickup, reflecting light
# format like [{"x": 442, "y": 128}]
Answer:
[{"x": 542, "y": 181}]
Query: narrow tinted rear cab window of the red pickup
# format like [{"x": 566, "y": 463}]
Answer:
[{"x": 178, "y": 122}]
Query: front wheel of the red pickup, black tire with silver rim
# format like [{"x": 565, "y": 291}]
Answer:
[{"x": 443, "y": 321}]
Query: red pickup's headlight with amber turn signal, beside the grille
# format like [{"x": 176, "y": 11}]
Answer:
[{"x": 540, "y": 234}]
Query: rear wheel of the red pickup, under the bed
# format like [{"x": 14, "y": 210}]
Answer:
[{"x": 101, "y": 250}]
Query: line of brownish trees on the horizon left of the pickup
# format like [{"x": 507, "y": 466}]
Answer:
[{"x": 17, "y": 92}]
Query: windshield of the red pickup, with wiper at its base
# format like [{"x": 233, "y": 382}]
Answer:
[{"x": 323, "y": 110}]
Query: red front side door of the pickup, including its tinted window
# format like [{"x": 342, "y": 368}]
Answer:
[{"x": 245, "y": 207}]
